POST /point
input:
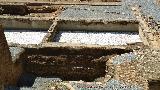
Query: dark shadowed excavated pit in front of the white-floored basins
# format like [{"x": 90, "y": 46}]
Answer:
[{"x": 69, "y": 64}]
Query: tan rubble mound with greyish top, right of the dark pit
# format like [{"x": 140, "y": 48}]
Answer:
[{"x": 125, "y": 68}]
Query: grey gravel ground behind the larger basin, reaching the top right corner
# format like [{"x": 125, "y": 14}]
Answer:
[{"x": 111, "y": 13}]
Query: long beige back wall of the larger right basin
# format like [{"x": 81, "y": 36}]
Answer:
[{"x": 98, "y": 26}]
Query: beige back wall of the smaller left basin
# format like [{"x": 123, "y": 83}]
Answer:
[{"x": 24, "y": 23}]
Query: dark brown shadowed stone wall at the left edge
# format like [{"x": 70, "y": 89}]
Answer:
[{"x": 9, "y": 72}]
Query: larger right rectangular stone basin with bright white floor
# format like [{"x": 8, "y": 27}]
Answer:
[{"x": 95, "y": 33}]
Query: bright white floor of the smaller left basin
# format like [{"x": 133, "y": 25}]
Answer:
[{"x": 24, "y": 36}]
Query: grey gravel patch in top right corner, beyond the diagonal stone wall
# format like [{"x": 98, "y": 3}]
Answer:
[{"x": 148, "y": 8}]
